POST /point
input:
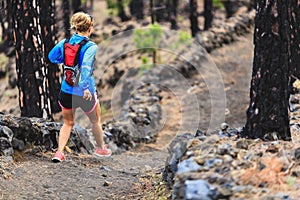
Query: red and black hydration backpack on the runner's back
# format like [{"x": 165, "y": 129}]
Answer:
[{"x": 71, "y": 61}]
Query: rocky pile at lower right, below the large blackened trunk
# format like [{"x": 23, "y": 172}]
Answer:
[{"x": 223, "y": 165}]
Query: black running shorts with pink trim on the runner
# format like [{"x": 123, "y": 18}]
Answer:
[{"x": 69, "y": 101}]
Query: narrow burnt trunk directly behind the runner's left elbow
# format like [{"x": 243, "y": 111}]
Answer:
[{"x": 49, "y": 40}]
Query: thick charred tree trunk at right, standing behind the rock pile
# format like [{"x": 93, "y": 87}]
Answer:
[{"x": 267, "y": 115}]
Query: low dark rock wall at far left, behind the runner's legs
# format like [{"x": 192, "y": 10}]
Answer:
[{"x": 35, "y": 134}]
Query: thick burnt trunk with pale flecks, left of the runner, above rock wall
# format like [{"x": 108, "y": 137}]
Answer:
[{"x": 30, "y": 62}]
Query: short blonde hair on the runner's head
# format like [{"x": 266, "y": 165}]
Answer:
[{"x": 81, "y": 21}]
